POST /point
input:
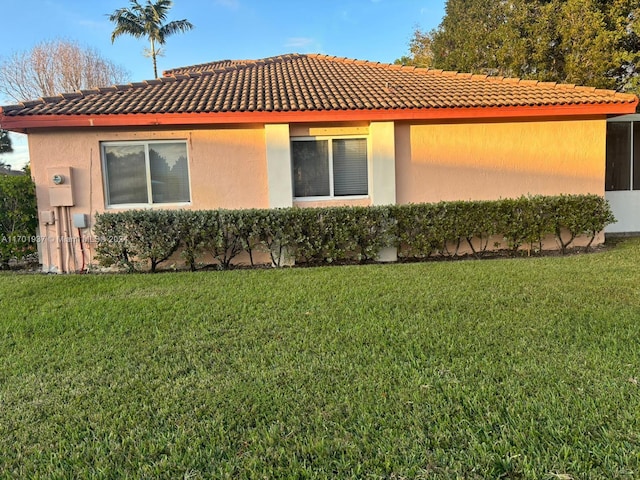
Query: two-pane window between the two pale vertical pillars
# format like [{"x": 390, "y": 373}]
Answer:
[{"x": 331, "y": 167}]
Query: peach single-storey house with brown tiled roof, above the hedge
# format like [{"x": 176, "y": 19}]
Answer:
[{"x": 307, "y": 130}]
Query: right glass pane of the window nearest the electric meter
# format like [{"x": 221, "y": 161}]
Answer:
[{"x": 169, "y": 172}]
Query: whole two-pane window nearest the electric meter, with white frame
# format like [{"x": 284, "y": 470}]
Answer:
[{"x": 146, "y": 173}]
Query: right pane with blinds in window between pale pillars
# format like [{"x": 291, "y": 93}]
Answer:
[{"x": 350, "y": 167}]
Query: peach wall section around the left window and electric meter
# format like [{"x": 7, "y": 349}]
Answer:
[{"x": 227, "y": 169}]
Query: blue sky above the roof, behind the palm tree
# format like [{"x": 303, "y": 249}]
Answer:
[{"x": 376, "y": 30}]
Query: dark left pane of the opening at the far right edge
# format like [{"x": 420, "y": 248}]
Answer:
[{"x": 618, "y": 170}]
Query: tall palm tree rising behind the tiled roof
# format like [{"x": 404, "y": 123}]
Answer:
[{"x": 147, "y": 21}]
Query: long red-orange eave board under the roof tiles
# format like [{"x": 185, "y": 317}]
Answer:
[{"x": 22, "y": 124}]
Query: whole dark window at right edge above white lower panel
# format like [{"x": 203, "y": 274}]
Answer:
[{"x": 623, "y": 156}]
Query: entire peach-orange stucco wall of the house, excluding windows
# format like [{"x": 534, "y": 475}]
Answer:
[{"x": 433, "y": 162}]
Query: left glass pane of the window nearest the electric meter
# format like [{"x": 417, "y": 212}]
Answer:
[{"x": 126, "y": 174}]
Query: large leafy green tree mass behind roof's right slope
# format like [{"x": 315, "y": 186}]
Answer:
[{"x": 587, "y": 42}]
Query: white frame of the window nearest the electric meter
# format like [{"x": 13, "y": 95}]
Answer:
[{"x": 145, "y": 143}]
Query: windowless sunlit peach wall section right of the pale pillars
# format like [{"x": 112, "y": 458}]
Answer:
[{"x": 487, "y": 161}]
